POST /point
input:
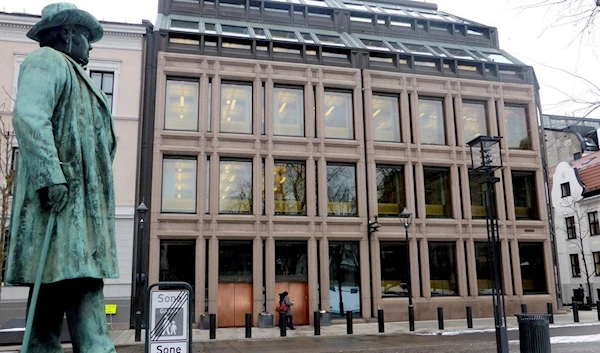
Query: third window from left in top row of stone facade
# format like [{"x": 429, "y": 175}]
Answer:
[{"x": 288, "y": 111}]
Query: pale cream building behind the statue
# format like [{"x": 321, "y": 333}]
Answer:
[{"x": 116, "y": 67}]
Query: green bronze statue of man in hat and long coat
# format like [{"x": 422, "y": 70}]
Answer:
[{"x": 66, "y": 148}]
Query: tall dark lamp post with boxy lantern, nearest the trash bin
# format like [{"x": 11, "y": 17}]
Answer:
[{"x": 486, "y": 157}]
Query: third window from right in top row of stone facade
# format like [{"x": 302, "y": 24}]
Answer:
[{"x": 431, "y": 117}]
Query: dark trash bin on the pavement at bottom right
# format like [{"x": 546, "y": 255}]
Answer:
[{"x": 534, "y": 333}]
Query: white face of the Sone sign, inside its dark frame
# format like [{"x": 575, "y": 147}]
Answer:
[{"x": 169, "y": 321}]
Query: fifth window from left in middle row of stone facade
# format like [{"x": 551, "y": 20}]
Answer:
[{"x": 390, "y": 190}]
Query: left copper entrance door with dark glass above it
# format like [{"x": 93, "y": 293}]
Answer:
[{"x": 235, "y": 283}]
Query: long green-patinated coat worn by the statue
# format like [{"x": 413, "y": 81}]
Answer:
[{"x": 66, "y": 136}]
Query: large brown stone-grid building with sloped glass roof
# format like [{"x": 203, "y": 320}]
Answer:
[{"x": 276, "y": 133}]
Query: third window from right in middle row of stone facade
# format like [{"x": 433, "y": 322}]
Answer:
[{"x": 438, "y": 195}]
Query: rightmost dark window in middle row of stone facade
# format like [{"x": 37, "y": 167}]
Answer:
[{"x": 525, "y": 194}]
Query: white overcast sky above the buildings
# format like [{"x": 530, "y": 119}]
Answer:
[{"x": 530, "y": 34}]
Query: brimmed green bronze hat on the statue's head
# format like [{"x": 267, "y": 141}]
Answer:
[{"x": 62, "y": 14}]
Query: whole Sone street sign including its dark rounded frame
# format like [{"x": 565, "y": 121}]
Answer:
[{"x": 169, "y": 319}]
